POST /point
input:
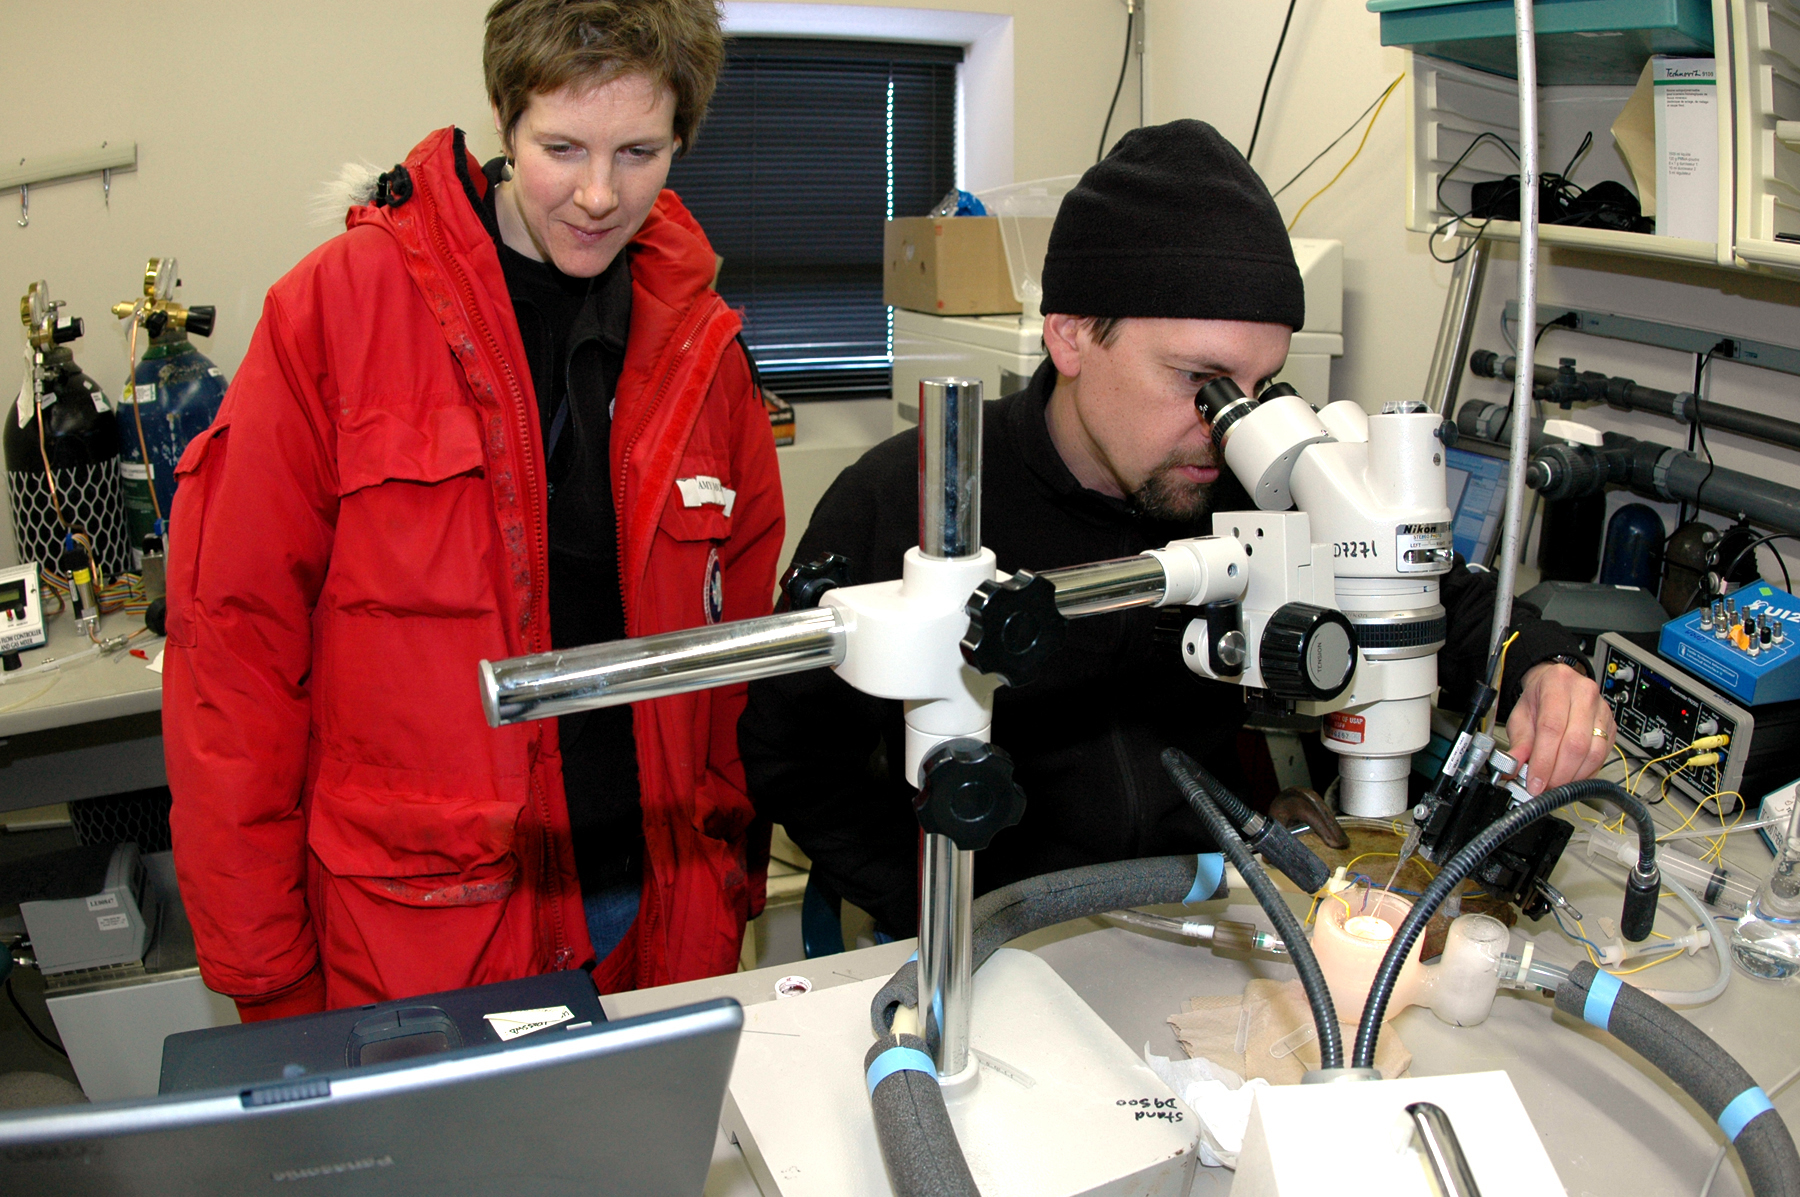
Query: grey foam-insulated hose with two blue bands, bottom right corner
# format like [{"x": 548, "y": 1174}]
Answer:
[{"x": 1700, "y": 1066}]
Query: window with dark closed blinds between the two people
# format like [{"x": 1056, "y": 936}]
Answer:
[{"x": 809, "y": 147}]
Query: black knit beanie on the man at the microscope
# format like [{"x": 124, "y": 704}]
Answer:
[{"x": 1173, "y": 224}]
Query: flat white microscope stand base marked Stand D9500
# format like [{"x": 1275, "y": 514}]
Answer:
[{"x": 1063, "y": 1108}]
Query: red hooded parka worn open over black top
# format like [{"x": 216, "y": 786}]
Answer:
[{"x": 366, "y": 521}]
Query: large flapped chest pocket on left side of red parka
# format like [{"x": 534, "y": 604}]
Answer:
[{"x": 415, "y": 516}]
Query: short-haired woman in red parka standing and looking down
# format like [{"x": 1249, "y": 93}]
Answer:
[{"x": 462, "y": 431}]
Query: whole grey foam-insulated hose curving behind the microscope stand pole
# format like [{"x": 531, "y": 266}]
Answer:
[{"x": 913, "y": 1128}]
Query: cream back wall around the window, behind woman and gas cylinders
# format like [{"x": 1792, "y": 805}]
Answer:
[{"x": 242, "y": 111}]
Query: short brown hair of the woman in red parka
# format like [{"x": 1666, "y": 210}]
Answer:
[{"x": 544, "y": 46}]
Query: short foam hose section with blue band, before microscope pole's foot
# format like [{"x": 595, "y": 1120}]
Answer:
[{"x": 919, "y": 1142}]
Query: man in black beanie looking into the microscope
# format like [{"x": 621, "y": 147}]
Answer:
[{"x": 1167, "y": 267}]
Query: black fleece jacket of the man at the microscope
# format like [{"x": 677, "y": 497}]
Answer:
[{"x": 1086, "y": 735}]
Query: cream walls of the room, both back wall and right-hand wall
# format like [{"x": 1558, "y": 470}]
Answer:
[{"x": 242, "y": 111}]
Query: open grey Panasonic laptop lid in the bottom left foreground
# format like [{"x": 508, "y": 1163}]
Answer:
[{"x": 625, "y": 1108}]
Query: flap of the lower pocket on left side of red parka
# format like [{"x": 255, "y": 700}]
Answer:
[{"x": 361, "y": 829}]
